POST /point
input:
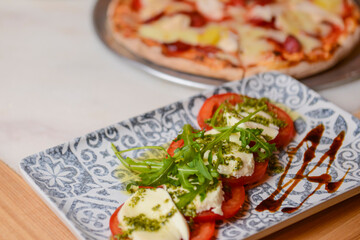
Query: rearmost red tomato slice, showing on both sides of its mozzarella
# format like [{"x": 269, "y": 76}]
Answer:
[{"x": 286, "y": 134}]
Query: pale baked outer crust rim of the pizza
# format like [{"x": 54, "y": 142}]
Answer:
[{"x": 154, "y": 54}]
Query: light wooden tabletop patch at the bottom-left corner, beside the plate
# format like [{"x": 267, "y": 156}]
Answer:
[{"x": 23, "y": 215}]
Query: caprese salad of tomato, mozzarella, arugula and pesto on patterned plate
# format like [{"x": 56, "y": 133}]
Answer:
[{"x": 202, "y": 175}]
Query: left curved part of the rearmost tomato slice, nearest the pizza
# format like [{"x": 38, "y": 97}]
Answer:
[{"x": 212, "y": 103}]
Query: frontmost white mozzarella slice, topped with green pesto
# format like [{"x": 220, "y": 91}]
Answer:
[{"x": 153, "y": 205}]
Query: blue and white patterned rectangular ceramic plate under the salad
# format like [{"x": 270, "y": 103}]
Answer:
[{"x": 83, "y": 184}]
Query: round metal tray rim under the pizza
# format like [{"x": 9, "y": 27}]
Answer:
[{"x": 345, "y": 71}]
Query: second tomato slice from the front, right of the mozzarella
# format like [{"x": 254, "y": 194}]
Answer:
[{"x": 231, "y": 205}]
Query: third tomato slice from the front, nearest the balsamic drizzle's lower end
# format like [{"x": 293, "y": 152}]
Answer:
[{"x": 259, "y": 173}]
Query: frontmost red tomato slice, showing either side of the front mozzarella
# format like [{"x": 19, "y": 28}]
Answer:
[{"x": 199, "y": 231}]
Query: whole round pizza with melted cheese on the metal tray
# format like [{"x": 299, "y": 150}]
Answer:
[{"x": 230, "y": 39}]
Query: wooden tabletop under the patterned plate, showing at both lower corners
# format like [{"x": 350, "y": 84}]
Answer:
[{"x": 23, "y": 215}]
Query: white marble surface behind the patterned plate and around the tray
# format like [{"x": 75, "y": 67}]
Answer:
[{"x": 58, "y": 81}]
